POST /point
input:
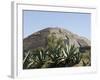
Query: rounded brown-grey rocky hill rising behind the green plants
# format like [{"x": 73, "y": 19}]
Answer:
[{"x": 38, "y": 39}]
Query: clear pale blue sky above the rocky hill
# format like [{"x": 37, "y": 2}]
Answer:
[{"x": 78, "y": 23}]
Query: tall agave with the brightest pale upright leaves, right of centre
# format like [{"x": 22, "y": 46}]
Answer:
[{"x": 73, "y": 55}]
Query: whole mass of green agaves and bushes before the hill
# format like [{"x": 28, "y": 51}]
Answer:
[{"x": 55, "y": 54}]
